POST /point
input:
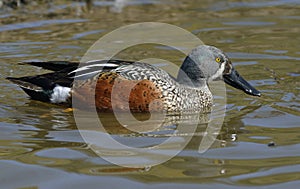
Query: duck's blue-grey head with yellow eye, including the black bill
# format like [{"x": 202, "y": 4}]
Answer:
[{"x": 207, "y": 63}]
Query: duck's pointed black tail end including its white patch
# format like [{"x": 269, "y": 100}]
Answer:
[{"x": 52, "y": 87}]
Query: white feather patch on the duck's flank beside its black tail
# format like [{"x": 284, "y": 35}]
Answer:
[{"x": 60, "y": 94}]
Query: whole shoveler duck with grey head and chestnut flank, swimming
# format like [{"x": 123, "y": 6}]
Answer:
[{"x": 135, "y": 86}]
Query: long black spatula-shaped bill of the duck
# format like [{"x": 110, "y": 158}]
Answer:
[{"x": 235, "y": 80}]
